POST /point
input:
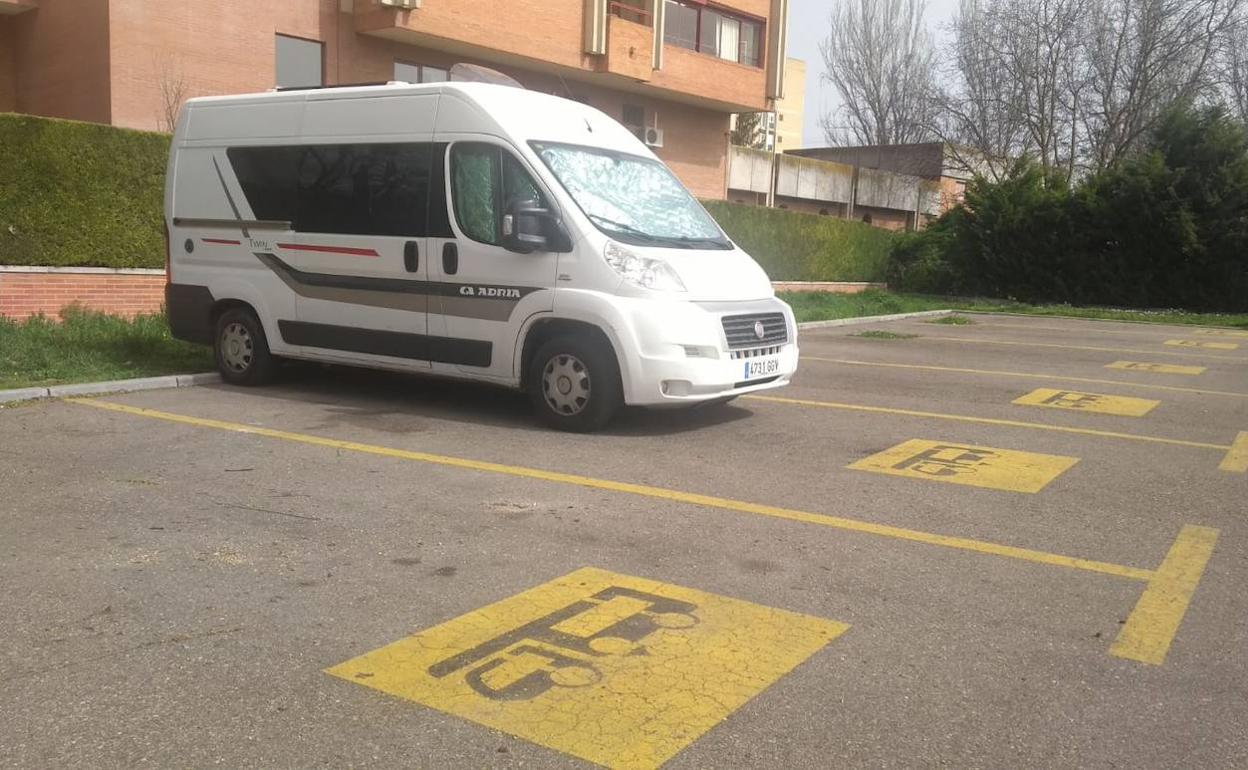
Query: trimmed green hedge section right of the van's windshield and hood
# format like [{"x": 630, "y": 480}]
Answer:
[{"x": 806, "y": 248}]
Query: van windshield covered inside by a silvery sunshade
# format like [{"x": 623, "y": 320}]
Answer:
[{"x": 632, "y": 199}]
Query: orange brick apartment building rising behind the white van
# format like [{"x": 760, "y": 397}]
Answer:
[{"x": 675, "y": 69}]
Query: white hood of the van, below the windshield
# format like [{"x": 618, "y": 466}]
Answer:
[{"x": 714, "y": 275}]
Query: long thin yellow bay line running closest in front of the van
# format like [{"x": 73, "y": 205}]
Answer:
[{"x": 706, "y": 501}]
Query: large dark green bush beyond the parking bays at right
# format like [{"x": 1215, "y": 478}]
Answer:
[{"x": 1168, "y": 228}]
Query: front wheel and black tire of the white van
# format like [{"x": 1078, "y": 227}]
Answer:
[{"x": 575, "y": 384}]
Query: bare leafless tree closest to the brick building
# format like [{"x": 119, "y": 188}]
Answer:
[{"x": 880, "y": 59}]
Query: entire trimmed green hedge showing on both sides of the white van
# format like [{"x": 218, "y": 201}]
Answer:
[{"x": 88, "y": 195}]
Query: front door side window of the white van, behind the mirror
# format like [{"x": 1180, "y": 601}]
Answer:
[{"x": 485, "y": 183}]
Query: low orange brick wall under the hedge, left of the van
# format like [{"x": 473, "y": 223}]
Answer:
[{"x": 27, "y": 291}]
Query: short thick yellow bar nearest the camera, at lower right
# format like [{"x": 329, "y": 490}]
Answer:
[{"x": 1151, "y": 627}]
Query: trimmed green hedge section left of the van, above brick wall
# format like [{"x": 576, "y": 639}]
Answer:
[{"x": 80, "y": 194}]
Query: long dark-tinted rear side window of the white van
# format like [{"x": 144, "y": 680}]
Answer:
[{"x": 381, "y": 190}]
